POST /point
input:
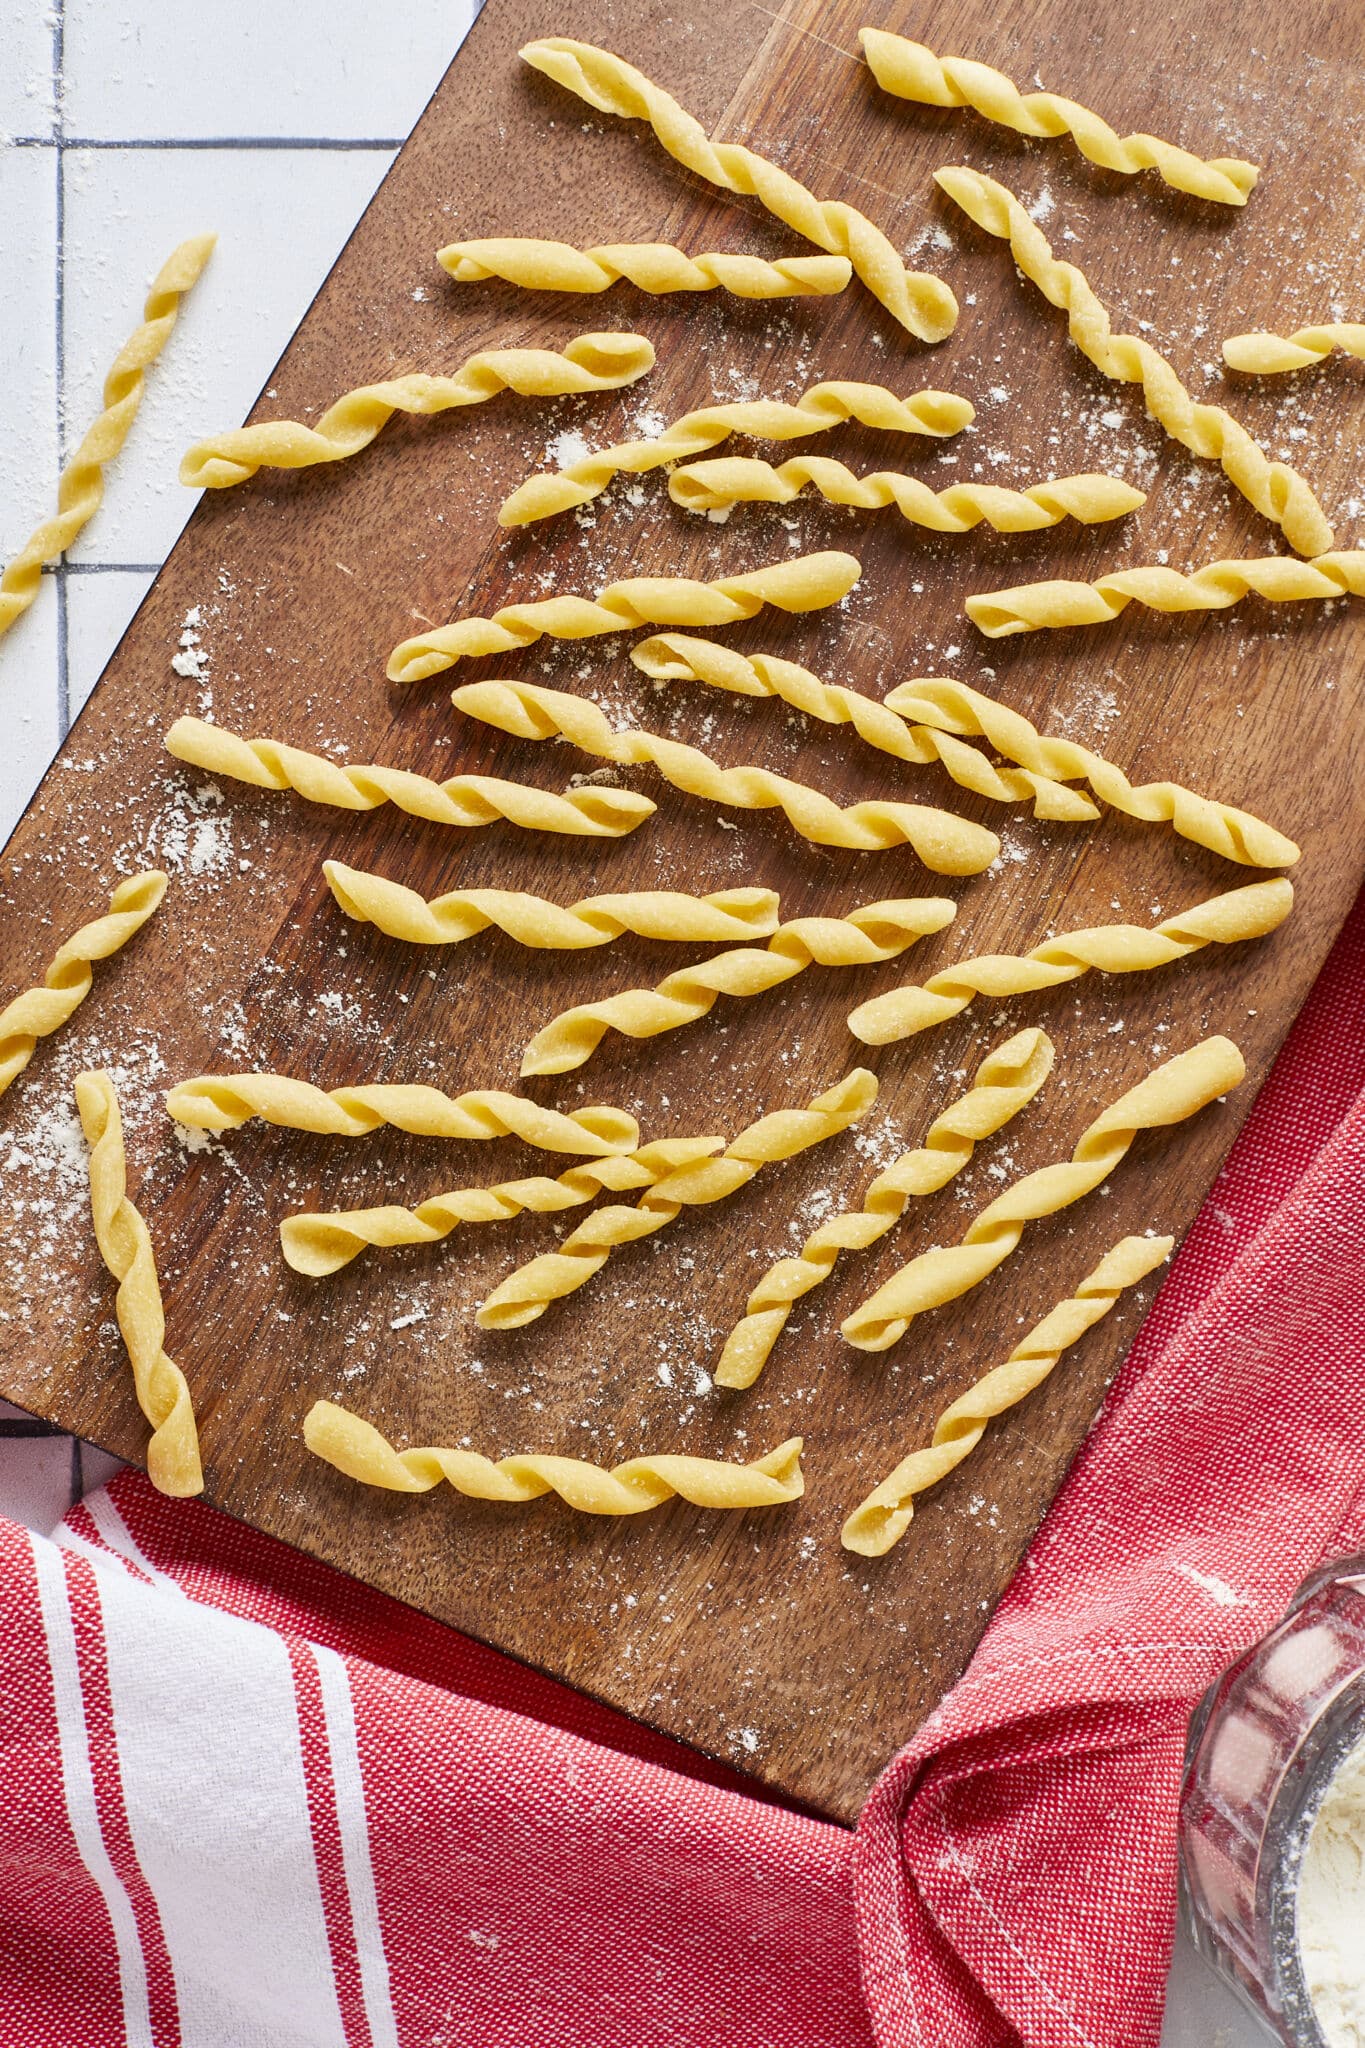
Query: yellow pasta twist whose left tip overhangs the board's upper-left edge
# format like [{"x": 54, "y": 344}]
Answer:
[{"x": 588, "y": 364}]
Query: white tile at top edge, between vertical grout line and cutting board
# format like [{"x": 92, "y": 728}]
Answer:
[{"x": 304, "y": 69}]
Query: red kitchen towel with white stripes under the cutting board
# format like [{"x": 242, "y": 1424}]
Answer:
[{"x": 249, "y": 1801}]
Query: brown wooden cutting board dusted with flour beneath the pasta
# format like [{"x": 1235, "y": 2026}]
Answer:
[{"x": 756, "y": 1639}]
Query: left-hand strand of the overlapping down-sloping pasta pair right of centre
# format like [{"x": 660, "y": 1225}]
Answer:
[{"x": 676, "y": 656}]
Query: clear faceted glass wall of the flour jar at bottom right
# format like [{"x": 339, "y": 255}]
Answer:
[{"x": 1264, "y": 1748}]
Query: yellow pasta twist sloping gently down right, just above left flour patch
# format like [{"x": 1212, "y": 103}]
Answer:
[{"x": 464, "y": 800}]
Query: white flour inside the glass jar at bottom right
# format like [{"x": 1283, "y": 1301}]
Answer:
[{"x": 1333, "y": 1908}]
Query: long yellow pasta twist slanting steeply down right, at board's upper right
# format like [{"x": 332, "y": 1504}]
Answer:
[{"x": 1276, "y": 490}]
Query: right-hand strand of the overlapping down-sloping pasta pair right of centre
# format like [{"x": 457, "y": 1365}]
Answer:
[{"x": 1225, "y": 830}]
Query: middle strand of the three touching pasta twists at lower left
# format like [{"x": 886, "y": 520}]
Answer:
[{"x": 320, "y": 1244}]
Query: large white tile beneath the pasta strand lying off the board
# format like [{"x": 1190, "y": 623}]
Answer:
[{"x": 281, "y": 218}]
